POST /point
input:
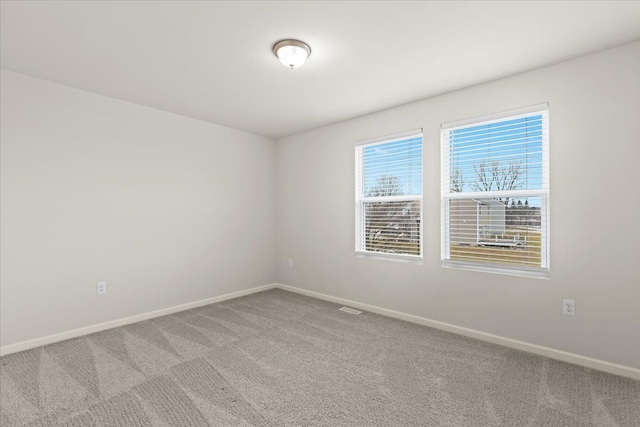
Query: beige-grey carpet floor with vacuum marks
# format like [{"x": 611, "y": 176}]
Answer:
[{"x": 282, "y": 359}]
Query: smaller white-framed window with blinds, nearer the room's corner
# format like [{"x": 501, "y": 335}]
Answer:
[{"x": 389, "y": 196}]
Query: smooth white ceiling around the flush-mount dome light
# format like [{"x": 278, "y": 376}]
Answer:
[{"x": 213, "y": 60}]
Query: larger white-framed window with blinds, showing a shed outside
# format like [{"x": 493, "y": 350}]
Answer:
[{"x": 495, "y": 176}]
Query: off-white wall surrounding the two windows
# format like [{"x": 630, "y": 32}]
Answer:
[{"x": 595, "y": 205}]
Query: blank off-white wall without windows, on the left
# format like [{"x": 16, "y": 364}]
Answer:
[{"x": 166, "y": 209}]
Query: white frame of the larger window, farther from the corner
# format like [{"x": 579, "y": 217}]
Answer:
[{"x": 543, "y": 193}]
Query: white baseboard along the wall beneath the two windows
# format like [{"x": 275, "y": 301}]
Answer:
[{"x": 576, "y": 359}]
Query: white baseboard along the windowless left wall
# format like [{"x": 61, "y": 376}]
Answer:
[{"x": 49, "y": 339}]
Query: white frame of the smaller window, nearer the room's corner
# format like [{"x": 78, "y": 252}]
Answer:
[{"x": 361, "y": 199}]
